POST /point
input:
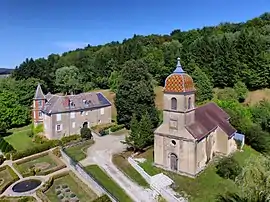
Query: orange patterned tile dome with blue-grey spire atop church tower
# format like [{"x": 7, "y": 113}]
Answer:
[{"x": 179, "y": 81}]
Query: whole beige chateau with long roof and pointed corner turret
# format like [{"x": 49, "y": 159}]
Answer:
[{"x": 66, "y": 115}]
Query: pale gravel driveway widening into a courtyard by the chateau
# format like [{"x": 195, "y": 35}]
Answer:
[{"x": 101, "y": 154}]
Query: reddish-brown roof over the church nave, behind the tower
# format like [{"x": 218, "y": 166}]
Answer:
[{"x": 207, "y": 118}]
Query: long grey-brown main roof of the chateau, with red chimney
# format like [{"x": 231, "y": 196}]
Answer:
[{"x": 84, "y": 101}]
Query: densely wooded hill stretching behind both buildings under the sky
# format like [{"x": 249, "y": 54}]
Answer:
[{"x": 227, "y": 53}]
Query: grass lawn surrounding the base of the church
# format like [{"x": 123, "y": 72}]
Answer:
[{"x": 207, "y": 186}]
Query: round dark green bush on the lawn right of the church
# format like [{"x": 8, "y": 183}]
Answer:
[{"x": 228, "y": 168}]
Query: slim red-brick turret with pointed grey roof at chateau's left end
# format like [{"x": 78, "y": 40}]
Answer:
[{"x": 38, "y": 104}]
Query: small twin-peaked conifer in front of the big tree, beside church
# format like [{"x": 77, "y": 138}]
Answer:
[{"x": 141, "y": 134}]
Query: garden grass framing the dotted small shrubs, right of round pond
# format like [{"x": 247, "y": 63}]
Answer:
[{"x": 75, "y": 185}]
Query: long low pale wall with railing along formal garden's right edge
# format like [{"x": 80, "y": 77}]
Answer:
[{"x": 87, "y": 176}]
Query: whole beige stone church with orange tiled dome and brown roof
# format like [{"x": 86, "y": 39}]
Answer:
[{"x": 190, "y": 136}]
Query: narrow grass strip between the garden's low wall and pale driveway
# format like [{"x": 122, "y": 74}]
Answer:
[{"x": 108, "y": 183}]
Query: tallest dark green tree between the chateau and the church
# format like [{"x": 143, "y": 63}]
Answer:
[{"x": 135, "y": 92}]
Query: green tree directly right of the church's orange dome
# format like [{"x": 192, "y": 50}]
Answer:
[{"x": 204, "y": 87}]
